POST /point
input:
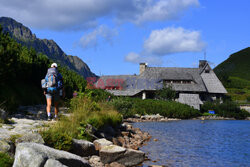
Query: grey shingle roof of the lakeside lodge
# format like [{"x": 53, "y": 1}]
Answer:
[{"x": 152, "y": 77}]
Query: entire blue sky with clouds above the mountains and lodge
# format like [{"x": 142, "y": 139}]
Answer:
[{"x": 114, "y": 36}]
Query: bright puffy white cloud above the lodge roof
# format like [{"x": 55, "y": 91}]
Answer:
[{"x": 173, "y": 40}]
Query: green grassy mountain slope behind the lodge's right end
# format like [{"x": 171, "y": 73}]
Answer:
[{"x": 235, "y": 74}]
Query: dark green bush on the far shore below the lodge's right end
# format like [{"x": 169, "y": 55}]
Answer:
[{"x": 227, "y": 109}]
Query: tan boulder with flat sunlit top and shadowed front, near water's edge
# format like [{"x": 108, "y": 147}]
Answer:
[{"x": 111, "y": 153}]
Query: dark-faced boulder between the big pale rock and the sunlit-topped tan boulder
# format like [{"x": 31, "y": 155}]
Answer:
[{"x": 83, "y": 148}]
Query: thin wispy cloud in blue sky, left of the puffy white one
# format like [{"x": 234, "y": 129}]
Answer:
[{"x": 93, "y": 38}]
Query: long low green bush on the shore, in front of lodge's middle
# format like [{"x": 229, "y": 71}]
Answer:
[{"x": 128, "y": 107}]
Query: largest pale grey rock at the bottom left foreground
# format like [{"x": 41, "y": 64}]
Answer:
[{"x": 36, "y": 155}]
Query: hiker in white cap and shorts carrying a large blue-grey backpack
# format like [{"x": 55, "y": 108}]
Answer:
[{"x": 54, "y": 89}]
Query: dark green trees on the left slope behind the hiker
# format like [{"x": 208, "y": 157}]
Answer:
[{"x": 21, "y": 71}]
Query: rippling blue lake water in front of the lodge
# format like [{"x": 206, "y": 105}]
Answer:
[{"x": 198, "y": 143}]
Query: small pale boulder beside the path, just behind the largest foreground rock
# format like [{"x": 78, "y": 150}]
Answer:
[{"x": 30, "y": 137}]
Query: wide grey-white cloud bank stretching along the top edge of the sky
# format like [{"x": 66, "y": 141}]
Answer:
[{"x": 76, "y": 14}]
